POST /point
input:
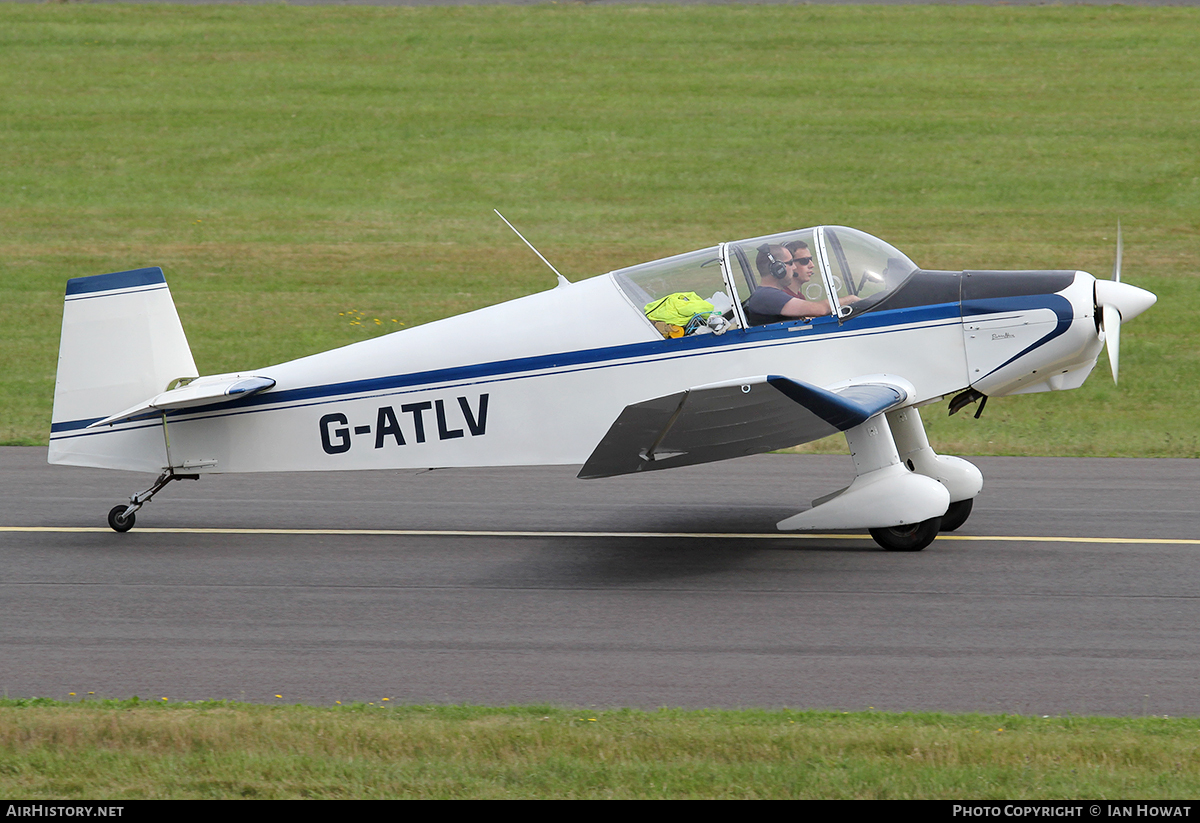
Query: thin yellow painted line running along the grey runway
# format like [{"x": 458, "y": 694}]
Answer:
[{"x": 454, "y": 533}]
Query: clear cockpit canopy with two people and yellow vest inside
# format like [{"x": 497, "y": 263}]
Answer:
[{"x": 843, "y": 271}]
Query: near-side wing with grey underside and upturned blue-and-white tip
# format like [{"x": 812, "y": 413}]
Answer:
[{"x": 725, "y": 420}]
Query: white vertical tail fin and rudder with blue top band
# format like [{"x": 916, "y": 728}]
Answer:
[{"x": 122, "y": 344}]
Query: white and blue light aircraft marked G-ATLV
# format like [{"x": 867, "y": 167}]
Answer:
[{"x": 656, "y": 367}]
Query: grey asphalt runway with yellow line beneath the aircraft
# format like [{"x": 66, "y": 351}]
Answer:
[{"x": 527, "y": 586}]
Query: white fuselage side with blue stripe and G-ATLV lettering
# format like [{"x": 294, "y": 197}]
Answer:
[{"x": 541, "y": 380}]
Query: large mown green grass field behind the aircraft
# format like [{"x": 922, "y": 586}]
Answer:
[{"x": 309, "y": 177}]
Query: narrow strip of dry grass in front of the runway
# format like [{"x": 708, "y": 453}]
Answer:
[{"x": 125, "y": 750}]
